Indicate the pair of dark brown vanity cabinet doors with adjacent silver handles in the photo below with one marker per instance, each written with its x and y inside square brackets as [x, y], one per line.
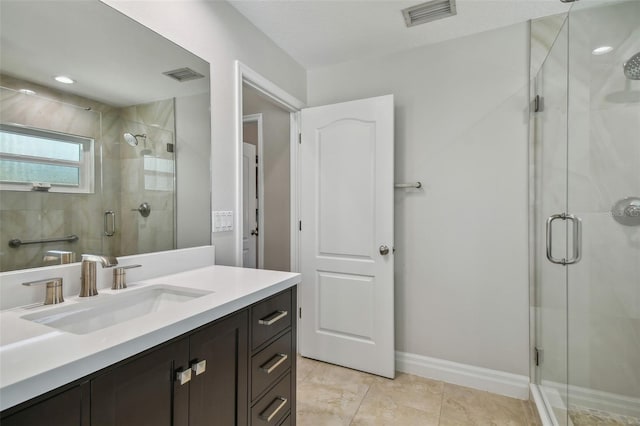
[198, 380]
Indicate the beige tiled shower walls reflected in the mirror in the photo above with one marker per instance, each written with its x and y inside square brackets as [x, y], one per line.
[125, 177]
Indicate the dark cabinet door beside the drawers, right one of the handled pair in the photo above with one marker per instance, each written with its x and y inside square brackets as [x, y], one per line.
[219, 394]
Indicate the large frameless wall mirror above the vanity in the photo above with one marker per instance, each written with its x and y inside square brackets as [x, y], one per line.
[116, 161]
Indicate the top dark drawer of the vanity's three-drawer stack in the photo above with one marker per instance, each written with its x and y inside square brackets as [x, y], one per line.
[270, 317]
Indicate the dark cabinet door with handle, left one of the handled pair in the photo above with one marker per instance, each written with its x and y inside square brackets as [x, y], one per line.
[143, 392]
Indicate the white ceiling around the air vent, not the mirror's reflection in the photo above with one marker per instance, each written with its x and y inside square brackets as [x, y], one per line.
[319, 33]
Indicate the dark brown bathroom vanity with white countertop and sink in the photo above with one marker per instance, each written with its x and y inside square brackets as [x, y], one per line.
[219, 347]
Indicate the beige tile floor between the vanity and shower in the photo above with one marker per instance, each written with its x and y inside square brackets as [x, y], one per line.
[329, 395]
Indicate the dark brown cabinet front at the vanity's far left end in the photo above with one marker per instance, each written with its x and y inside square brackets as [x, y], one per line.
[67, 408]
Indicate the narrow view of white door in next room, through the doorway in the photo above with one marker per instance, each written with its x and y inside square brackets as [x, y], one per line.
[249, 204]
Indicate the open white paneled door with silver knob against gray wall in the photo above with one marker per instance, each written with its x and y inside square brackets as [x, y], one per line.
[346, 237]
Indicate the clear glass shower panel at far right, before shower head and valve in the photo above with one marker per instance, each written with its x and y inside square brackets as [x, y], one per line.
[603, 177]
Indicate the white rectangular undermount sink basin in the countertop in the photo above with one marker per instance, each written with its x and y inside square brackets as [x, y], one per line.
[91, 315]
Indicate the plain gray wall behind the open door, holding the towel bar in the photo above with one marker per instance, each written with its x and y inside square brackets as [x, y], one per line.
[461, 242]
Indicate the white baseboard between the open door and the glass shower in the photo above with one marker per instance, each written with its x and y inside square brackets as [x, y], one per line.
[499, 382]
